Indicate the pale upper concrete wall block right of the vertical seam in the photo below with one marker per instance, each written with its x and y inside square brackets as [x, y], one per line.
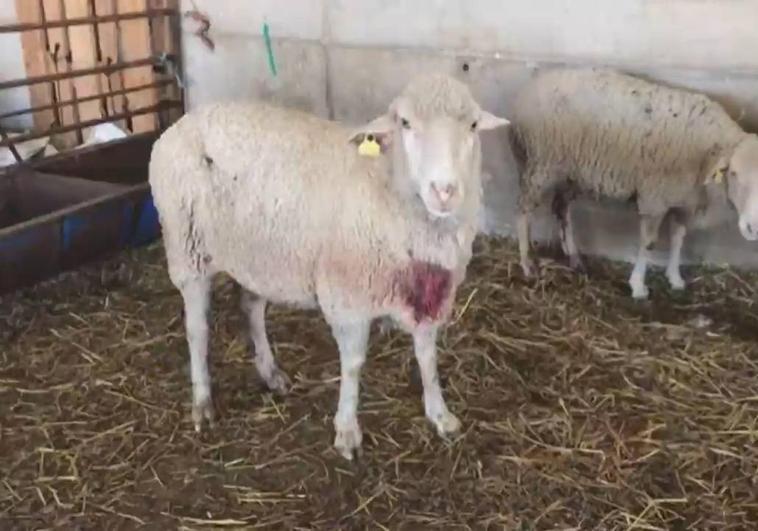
[678, 33]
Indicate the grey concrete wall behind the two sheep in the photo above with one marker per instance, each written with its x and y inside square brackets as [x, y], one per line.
[346, 59]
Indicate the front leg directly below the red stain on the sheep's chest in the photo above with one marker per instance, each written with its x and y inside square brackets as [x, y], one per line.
[425, 348]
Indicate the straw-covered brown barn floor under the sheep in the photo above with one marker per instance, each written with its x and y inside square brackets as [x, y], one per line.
[582, 409]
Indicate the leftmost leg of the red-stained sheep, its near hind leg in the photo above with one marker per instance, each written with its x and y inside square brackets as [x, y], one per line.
[197, 297]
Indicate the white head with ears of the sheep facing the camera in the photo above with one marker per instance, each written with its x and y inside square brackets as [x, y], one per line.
[432, 132]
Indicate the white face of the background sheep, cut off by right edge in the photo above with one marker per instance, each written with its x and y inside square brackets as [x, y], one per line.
[742, 182]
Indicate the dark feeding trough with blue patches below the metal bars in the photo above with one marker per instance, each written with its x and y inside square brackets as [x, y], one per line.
[74, 208]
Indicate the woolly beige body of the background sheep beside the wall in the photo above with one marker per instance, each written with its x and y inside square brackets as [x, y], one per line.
[611, 132]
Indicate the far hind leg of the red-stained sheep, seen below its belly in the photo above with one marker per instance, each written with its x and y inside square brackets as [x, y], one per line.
[254, 308]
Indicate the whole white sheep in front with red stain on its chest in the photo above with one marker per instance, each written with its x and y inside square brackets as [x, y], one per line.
[282, 202]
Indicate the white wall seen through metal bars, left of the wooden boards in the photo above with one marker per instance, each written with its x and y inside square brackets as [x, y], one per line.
[12, 67]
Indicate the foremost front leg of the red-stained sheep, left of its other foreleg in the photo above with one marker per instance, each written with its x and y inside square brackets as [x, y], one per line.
[352, 340]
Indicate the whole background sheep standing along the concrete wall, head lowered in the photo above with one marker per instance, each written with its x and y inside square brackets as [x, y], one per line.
[612, 135]
